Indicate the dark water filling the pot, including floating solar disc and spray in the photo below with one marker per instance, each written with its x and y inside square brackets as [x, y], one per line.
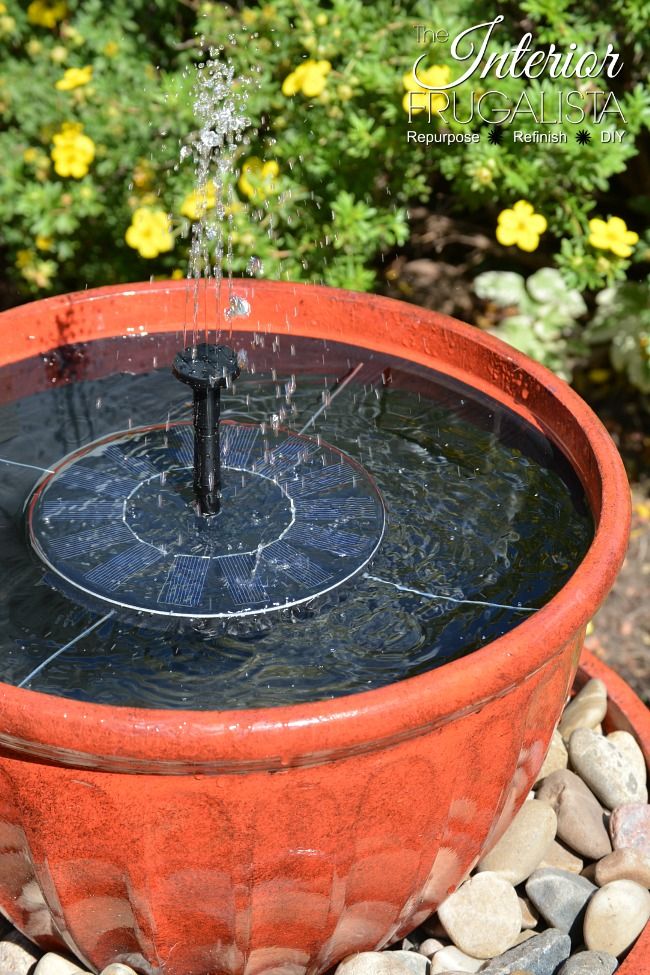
[357, 519]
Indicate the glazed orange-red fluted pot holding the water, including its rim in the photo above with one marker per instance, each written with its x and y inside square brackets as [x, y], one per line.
[280, 840]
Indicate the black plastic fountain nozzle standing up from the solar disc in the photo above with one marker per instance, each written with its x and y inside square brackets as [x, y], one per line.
[207, 369]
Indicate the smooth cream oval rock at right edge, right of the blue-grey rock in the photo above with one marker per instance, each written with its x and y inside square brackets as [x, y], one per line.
[615, 916]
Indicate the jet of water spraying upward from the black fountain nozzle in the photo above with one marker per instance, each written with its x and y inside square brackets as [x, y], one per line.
[220, 110]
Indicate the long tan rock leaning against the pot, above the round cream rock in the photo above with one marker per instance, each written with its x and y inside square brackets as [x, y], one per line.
[523, 844]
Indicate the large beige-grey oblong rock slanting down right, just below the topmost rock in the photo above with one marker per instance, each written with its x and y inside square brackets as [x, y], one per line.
[605, 769]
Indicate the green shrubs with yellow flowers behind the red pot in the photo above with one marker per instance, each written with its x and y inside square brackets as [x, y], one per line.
[96, 100]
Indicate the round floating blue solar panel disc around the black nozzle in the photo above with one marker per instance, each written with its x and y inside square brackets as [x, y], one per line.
[116, 520]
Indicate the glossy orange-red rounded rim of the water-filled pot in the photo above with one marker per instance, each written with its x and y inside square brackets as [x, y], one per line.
[116, 738]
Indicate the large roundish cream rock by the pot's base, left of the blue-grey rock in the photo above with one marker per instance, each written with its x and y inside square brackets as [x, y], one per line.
[483, 916]
